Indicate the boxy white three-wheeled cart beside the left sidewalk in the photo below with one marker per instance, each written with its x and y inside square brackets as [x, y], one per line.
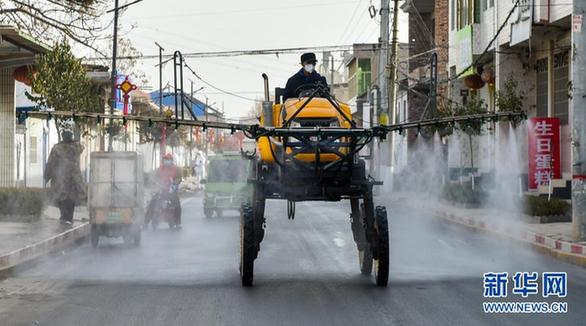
[116, 196]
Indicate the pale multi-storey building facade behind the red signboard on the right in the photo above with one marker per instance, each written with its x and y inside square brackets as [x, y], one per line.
[532, 48]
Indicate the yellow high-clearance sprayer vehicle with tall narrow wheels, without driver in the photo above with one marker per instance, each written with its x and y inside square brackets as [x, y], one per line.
[310, 153]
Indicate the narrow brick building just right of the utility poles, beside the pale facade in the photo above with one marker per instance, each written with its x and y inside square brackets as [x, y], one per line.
[428, 41]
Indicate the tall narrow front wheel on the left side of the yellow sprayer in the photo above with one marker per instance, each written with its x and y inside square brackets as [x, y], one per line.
[247, 245]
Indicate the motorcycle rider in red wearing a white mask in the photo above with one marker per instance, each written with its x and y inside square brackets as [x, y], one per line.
[169, 178]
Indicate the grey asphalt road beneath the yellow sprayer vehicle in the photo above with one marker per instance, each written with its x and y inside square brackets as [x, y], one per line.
[306, 274]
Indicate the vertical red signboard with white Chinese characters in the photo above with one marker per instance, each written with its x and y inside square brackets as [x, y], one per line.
[544, 151]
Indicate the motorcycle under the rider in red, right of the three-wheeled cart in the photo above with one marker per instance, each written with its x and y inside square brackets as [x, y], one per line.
[163, 207]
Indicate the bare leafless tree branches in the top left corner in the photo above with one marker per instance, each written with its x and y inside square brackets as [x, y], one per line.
[50, 20]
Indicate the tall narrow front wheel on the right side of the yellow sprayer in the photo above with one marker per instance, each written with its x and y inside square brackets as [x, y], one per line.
[381, 270]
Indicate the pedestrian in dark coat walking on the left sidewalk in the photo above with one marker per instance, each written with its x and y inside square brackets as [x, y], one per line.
[63, 171]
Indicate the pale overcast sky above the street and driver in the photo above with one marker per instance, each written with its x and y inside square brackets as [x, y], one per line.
[196, 26]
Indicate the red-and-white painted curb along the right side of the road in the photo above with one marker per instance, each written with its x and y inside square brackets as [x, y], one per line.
[564, 250]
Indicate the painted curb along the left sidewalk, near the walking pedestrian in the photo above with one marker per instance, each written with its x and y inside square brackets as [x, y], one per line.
[43, 247]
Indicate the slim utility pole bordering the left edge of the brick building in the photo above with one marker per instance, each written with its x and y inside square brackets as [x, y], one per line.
[392, 96]
